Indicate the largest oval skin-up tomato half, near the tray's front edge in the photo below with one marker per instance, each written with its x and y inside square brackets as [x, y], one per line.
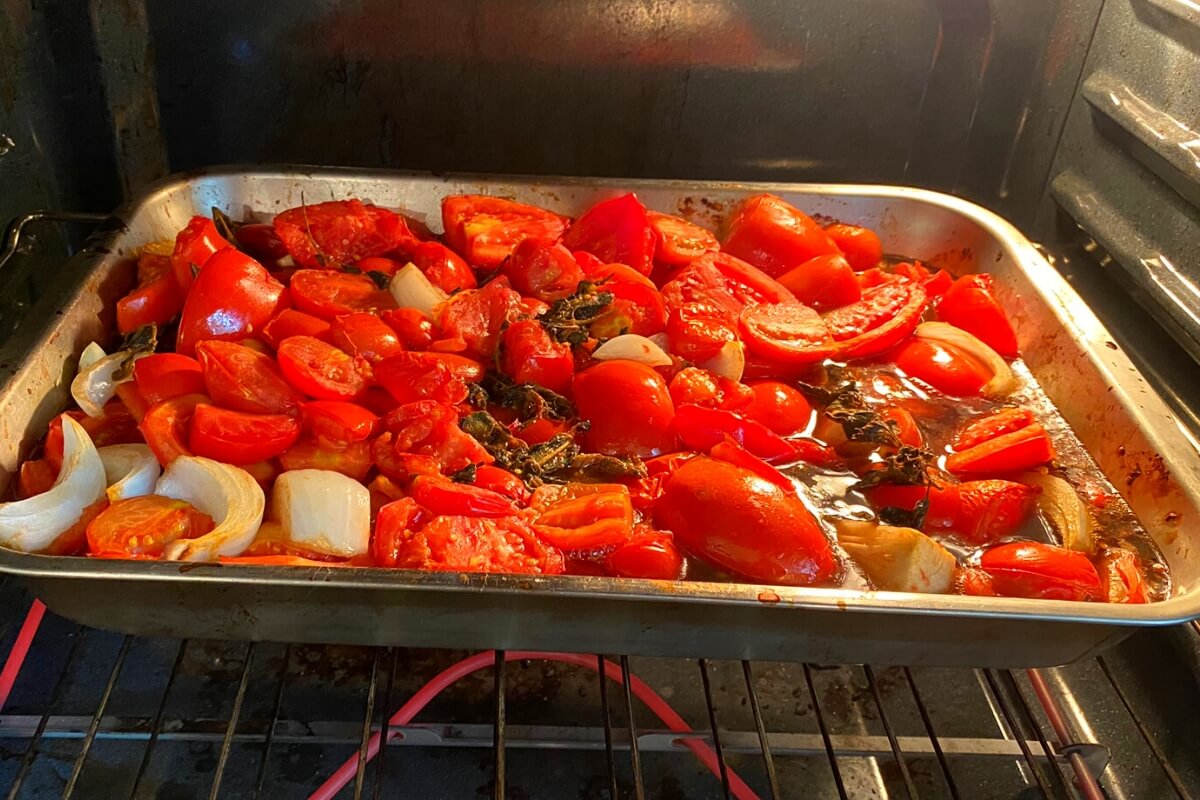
[731, 518]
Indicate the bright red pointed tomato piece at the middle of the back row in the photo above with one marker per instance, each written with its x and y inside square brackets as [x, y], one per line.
[617, 231]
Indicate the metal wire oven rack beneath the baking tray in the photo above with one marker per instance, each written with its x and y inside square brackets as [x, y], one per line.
[103, 715]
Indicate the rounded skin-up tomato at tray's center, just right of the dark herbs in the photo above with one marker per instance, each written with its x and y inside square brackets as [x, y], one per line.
[628, 407]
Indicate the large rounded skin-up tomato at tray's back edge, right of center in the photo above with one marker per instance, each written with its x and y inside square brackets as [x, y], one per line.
[776, 237]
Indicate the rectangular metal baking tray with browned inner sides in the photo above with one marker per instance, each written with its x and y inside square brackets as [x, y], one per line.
[1143, 449]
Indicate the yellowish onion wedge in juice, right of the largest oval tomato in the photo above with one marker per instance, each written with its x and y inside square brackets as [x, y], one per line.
[898, 560]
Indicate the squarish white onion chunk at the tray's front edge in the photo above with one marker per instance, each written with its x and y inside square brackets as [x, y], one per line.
[323, 512]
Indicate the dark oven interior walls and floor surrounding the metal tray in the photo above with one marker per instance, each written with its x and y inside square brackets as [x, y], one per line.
[1076, 119]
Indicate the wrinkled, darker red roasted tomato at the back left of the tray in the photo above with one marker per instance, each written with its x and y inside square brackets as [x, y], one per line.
[340, 232]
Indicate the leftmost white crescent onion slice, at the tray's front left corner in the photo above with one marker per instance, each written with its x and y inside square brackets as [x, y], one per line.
[34, 524]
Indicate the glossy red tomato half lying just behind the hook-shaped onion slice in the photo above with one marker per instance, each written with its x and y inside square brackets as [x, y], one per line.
[239, 438]
